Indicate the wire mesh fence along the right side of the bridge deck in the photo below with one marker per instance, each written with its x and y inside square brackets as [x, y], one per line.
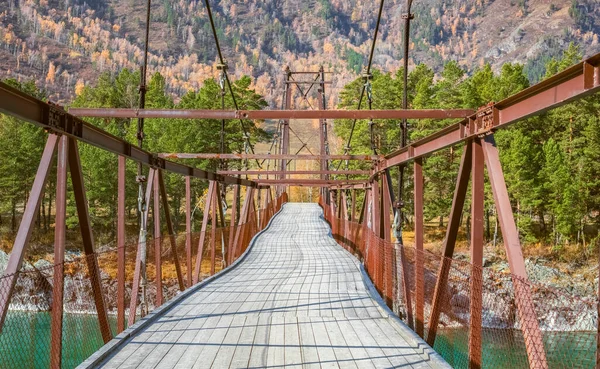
[475, 299]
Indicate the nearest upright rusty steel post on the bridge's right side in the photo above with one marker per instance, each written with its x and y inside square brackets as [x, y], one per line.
[476, 281]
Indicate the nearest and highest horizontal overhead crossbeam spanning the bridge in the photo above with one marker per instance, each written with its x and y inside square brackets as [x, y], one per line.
[271, 114]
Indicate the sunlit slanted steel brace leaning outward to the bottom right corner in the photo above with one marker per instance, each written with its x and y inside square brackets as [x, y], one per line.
[525, 306]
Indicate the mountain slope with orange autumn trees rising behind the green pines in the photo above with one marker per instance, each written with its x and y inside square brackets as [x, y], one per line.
[65, 44]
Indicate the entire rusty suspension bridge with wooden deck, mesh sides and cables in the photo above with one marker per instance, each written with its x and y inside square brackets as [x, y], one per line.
[274, 284]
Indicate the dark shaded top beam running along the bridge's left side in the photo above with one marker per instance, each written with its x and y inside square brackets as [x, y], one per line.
[54, 119]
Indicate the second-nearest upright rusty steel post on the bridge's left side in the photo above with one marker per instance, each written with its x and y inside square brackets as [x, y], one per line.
[121, 244]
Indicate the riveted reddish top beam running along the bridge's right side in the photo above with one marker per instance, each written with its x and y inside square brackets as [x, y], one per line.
[575, 83]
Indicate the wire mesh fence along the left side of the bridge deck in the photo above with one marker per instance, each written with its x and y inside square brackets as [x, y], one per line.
[26, 336]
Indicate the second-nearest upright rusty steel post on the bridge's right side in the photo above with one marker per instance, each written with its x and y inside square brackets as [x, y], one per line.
[419, 234]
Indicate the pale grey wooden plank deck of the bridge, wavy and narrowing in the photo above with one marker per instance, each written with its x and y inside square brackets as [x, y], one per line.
[297, 300]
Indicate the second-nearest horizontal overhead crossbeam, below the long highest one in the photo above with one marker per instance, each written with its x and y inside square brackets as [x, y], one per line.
[268, 156]
